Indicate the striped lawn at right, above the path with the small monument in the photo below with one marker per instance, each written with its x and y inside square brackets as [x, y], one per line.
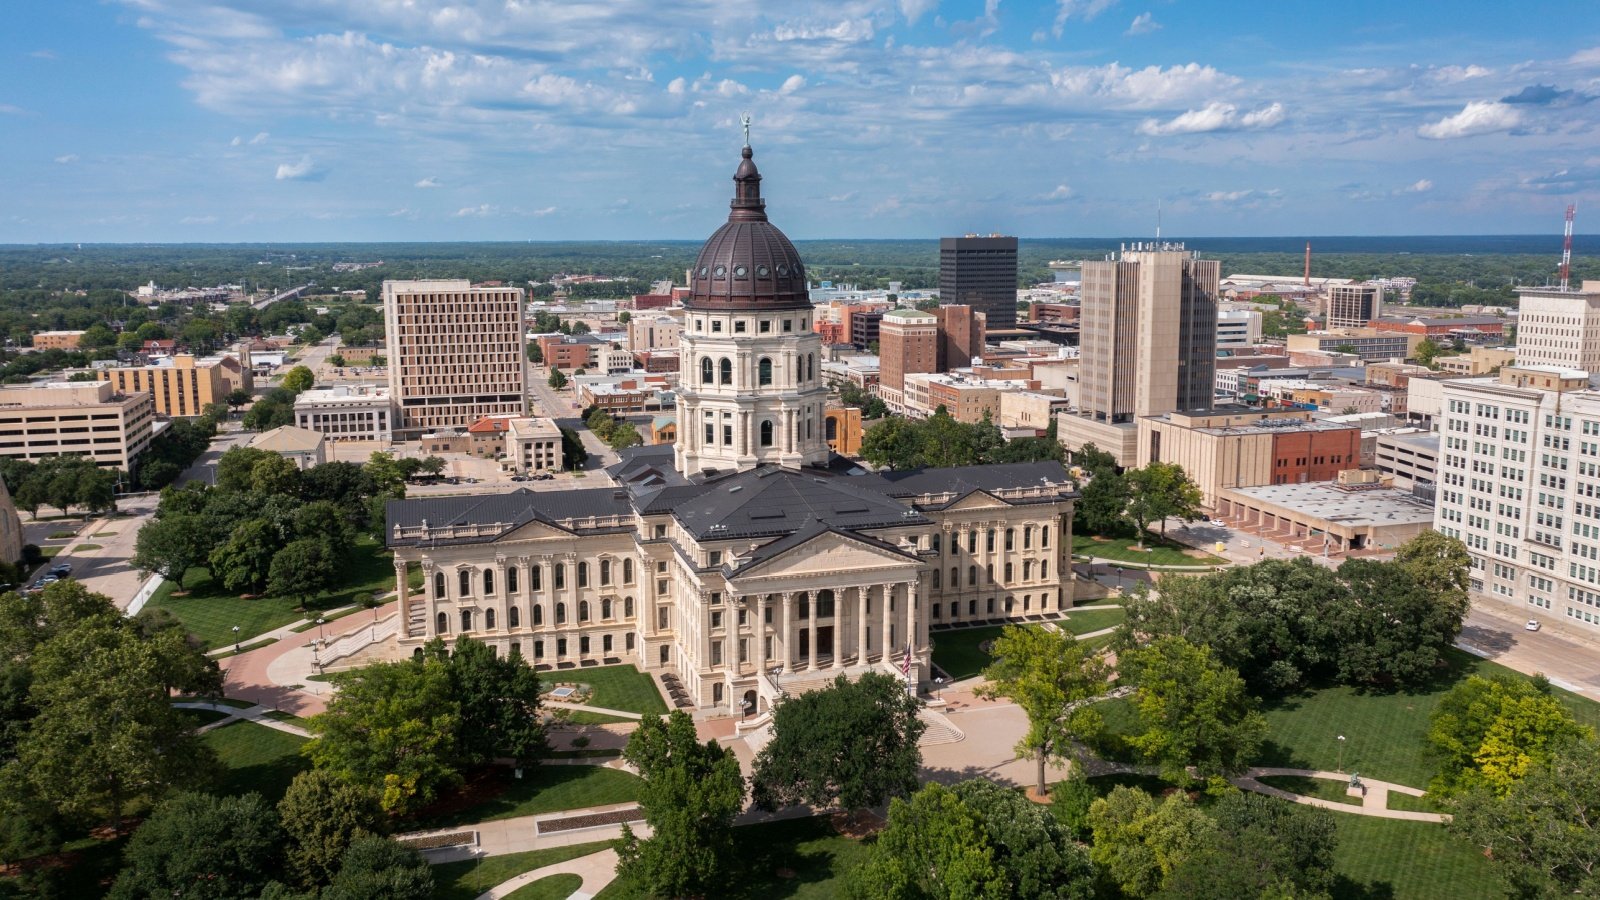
[1386, 734]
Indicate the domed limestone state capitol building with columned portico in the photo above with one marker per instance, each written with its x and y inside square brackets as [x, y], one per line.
[746, 560]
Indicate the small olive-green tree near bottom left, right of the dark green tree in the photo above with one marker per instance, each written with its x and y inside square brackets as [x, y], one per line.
[322, 816]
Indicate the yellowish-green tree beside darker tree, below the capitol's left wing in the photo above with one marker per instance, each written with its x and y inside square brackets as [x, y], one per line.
[391, 728]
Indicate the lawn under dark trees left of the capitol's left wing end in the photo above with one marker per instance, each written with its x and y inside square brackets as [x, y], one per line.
[210, 613]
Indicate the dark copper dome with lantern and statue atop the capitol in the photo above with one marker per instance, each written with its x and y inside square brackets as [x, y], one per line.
[748, 263]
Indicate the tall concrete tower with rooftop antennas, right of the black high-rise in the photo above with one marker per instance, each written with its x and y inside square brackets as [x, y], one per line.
[1148, 344]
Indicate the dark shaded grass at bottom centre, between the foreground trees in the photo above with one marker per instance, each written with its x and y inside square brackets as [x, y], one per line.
[801, 859]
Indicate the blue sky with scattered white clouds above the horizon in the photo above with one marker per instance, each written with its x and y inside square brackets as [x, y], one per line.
[286, 121]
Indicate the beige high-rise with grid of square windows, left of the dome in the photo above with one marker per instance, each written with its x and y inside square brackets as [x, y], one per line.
[455, 353]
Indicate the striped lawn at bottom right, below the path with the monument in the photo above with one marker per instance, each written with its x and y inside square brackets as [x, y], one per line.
[1409, 861]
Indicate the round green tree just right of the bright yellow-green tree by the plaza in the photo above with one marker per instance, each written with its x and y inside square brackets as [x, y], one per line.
[1193, 710]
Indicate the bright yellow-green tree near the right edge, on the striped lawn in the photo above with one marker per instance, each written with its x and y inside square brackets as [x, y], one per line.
[1490, 733]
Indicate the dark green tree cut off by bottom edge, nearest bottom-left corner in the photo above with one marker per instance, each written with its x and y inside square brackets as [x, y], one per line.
[202, 846]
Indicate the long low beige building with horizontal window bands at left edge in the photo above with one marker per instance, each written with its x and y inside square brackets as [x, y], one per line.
[63, 419]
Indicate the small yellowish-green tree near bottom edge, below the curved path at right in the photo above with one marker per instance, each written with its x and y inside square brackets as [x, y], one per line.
[1140, 843]
